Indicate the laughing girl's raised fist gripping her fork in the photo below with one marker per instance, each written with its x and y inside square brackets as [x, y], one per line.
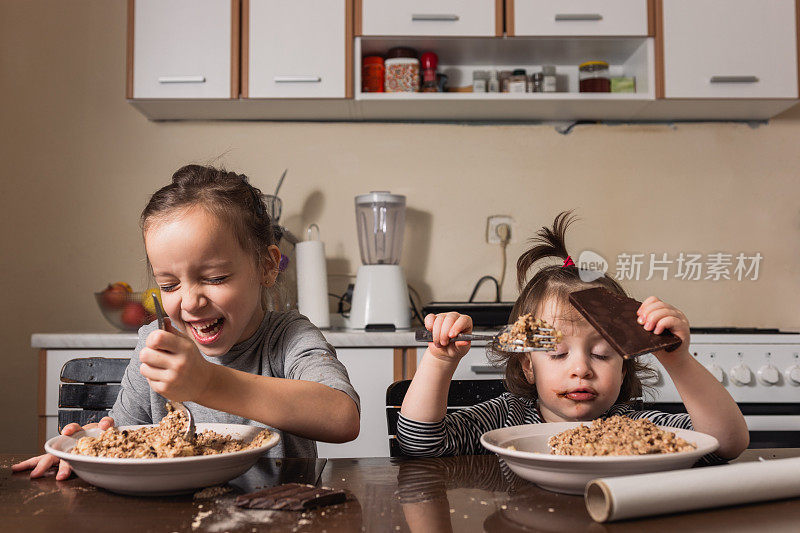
[173, 365]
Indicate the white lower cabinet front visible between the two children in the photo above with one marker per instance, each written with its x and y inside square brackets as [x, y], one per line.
[371, 371]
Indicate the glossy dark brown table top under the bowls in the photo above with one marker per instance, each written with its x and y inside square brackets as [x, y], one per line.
[468, 493]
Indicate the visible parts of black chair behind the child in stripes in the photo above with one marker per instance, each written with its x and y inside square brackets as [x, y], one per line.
[462, 393]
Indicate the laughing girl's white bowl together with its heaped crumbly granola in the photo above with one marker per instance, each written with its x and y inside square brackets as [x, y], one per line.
[152, 460]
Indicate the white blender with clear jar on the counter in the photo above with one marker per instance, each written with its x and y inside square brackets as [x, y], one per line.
[380, 296]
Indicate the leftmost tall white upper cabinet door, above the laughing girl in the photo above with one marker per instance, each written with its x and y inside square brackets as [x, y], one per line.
[182, 49]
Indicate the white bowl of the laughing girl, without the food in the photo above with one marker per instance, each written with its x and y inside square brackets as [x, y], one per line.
[156, 477]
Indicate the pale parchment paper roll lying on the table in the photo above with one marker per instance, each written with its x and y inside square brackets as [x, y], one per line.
[618, 498]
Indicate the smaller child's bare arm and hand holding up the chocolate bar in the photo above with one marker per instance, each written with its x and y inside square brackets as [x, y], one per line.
[710, 406]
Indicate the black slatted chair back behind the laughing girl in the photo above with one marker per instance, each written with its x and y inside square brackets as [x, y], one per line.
[88, 389]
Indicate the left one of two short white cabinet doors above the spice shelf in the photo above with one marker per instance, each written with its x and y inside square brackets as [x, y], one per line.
[429, 17]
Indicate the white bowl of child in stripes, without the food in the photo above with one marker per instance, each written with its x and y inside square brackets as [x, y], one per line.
[569, 474]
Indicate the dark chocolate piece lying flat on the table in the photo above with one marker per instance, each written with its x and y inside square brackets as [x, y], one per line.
[291, 497]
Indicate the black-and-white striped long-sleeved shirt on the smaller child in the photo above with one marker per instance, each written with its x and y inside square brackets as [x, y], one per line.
[459, 432]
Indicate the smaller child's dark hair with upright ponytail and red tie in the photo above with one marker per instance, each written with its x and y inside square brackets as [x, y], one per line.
[557, 281]
